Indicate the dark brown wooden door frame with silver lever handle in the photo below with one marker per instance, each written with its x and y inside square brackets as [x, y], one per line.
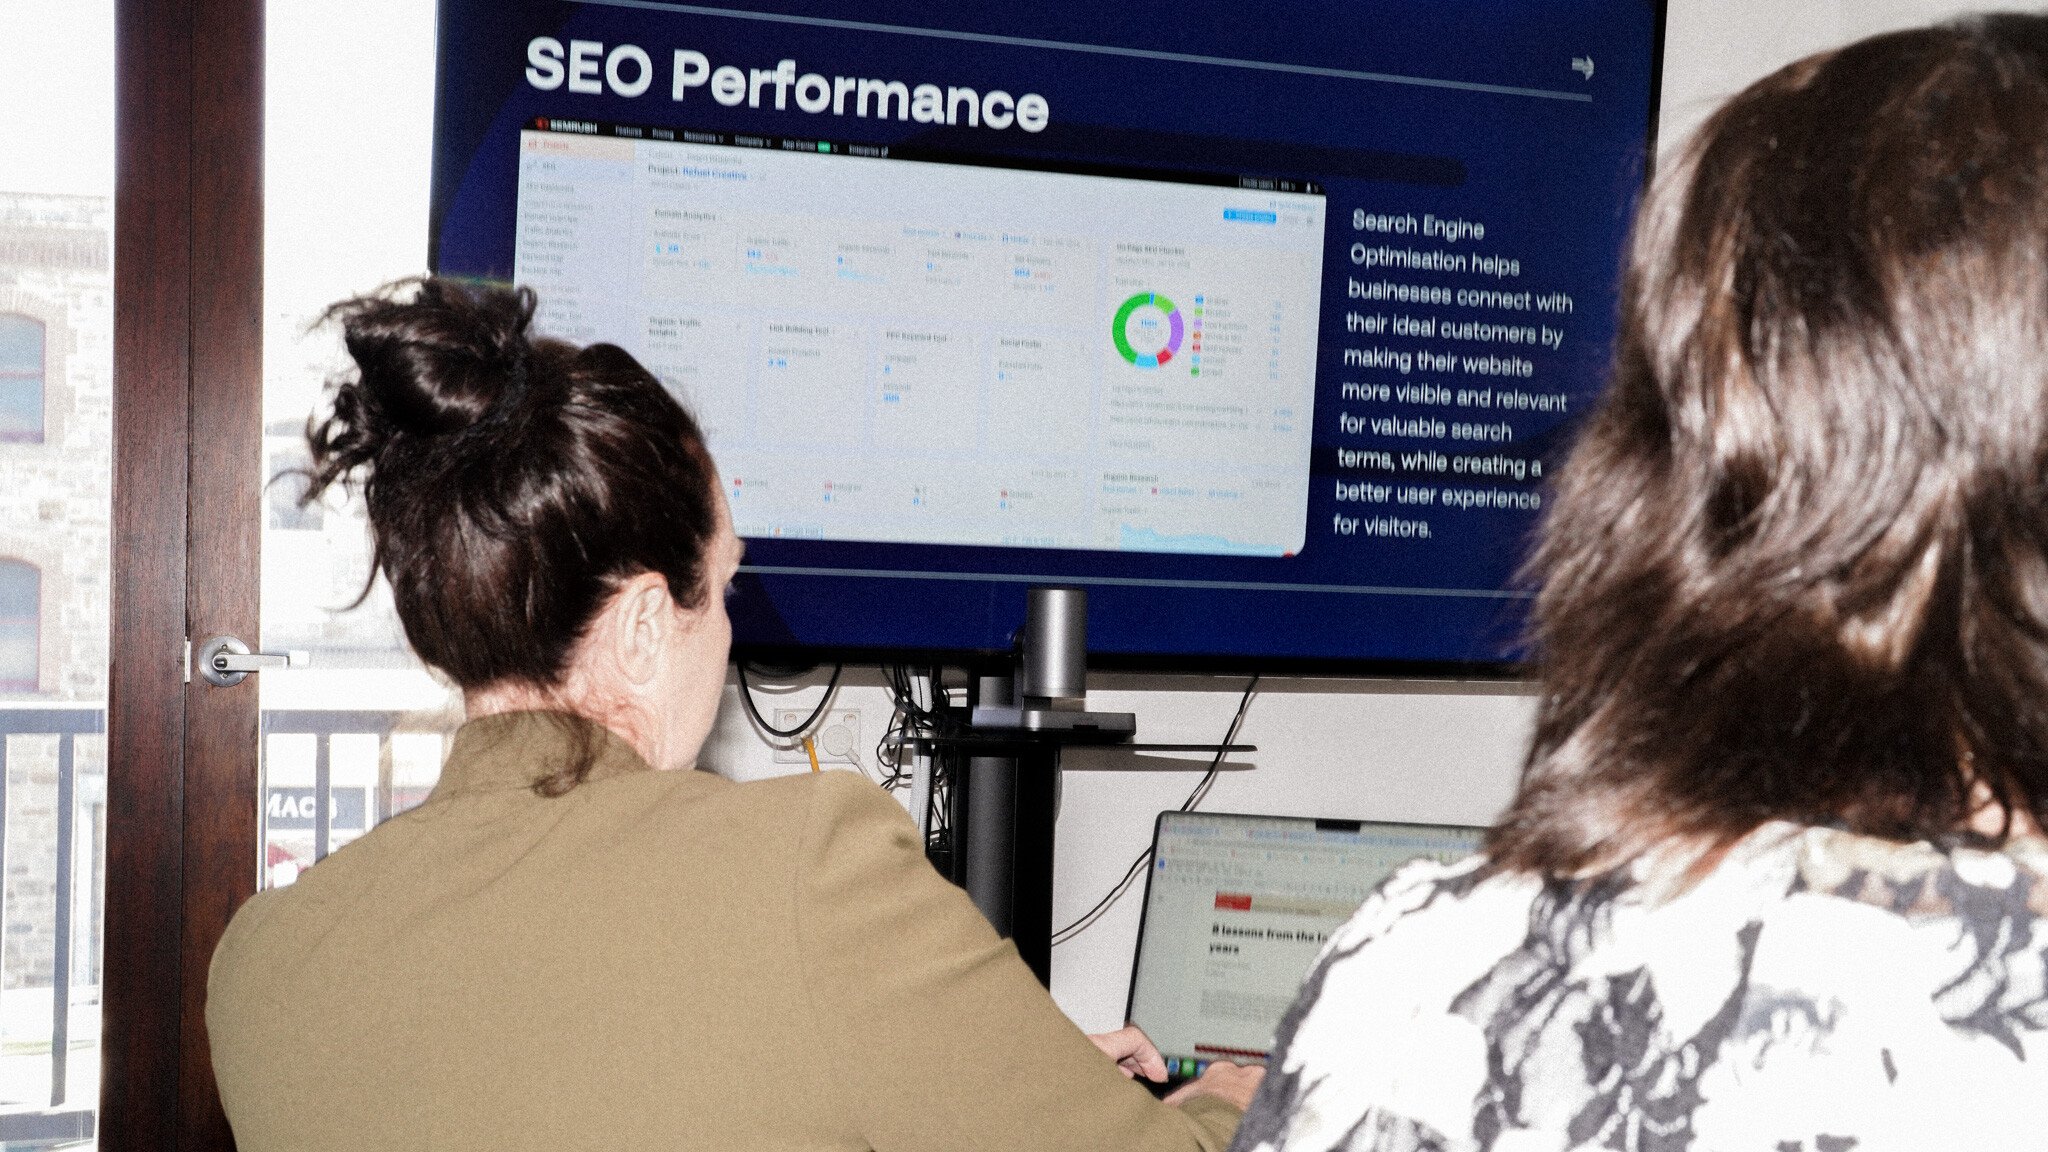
[187, 497]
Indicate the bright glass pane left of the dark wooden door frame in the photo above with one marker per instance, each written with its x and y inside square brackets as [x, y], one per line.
[56, 472]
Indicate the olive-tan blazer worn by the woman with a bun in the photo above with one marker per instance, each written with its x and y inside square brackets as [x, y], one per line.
[654, 960]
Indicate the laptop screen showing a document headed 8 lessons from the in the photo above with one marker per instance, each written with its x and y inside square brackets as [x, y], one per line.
[1238, 907]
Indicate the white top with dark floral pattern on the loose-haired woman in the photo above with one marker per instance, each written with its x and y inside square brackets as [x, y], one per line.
[1816, 993]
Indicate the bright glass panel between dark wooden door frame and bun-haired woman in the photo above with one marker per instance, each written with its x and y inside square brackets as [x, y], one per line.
[357, 735]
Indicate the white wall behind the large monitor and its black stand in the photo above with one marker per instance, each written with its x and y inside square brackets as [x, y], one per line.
[1390, 751]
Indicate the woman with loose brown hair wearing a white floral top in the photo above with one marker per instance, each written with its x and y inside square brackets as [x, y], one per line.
[1775, 878]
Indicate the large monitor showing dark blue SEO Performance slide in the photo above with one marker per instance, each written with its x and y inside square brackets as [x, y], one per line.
[1261, 323]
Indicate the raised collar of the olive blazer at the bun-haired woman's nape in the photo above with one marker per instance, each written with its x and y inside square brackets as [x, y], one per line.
[515, 749]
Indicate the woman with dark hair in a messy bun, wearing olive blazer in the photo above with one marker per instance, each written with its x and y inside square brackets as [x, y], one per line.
[579, 940]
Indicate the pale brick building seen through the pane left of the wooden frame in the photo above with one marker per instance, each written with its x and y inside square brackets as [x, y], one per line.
[56, 464]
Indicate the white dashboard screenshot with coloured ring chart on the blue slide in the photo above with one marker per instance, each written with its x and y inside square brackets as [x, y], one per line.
[947, 354]
